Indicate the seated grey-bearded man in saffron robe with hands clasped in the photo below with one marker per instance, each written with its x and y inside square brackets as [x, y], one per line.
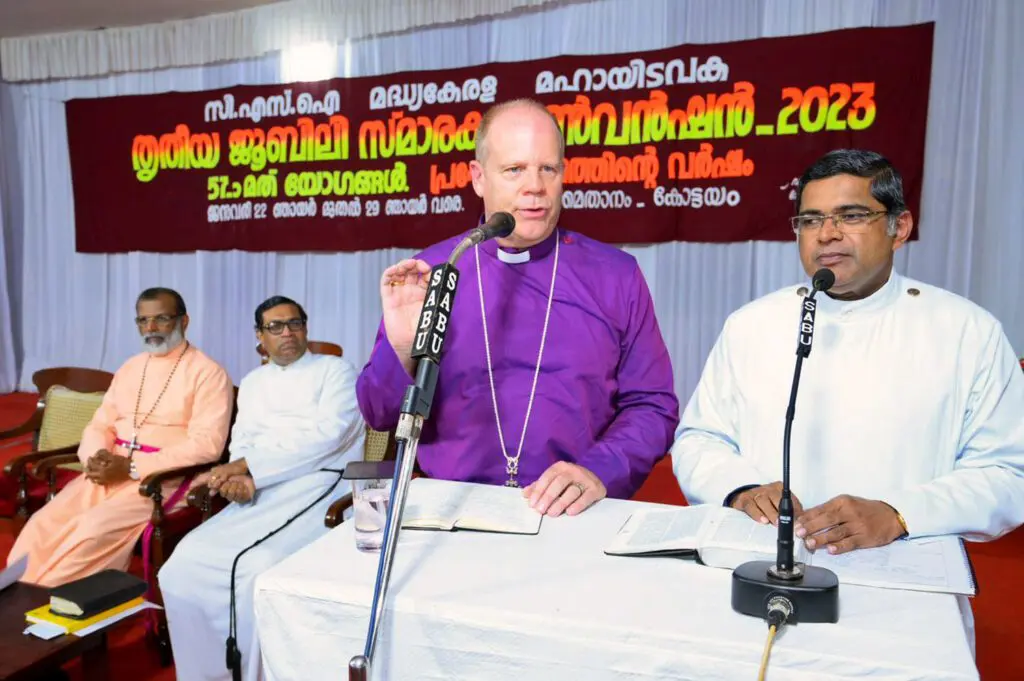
[168, 407]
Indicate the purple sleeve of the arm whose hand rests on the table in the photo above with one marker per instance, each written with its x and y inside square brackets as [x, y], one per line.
[647, 408]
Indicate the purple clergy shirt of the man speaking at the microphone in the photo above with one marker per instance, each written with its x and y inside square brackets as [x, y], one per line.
[605, 398]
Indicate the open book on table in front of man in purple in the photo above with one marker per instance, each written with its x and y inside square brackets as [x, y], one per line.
[447, 505]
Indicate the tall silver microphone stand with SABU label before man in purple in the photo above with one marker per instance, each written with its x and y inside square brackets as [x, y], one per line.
[433, 328]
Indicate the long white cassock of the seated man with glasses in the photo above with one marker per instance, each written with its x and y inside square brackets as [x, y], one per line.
[292, 422]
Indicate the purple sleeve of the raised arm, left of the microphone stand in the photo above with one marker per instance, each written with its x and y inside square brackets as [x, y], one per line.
[381, 386]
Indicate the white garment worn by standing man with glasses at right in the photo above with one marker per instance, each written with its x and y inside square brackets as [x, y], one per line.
[912, 396]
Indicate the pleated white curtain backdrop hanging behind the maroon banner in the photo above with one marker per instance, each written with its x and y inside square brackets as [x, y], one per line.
[77, 310]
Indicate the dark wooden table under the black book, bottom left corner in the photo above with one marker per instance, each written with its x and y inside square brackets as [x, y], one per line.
[24, 658]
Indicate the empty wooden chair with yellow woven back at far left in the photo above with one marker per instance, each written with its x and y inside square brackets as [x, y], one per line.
[68, 399]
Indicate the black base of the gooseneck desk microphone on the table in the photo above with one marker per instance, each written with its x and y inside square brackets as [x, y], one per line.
[815, 597]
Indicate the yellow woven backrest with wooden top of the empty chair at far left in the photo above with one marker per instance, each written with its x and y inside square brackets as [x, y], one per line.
[69, 398]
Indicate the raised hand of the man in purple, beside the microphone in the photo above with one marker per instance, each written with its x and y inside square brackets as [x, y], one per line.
[404, 288]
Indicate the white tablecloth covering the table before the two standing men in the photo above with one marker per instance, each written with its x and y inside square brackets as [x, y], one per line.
[483, 607]
